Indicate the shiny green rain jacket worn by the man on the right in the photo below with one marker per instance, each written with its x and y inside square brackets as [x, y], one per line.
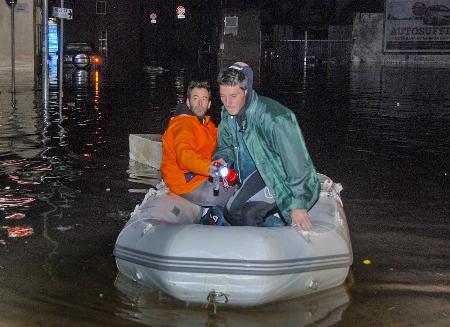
[275, 142]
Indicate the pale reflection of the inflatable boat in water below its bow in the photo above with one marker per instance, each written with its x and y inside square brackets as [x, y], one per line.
[149, 307]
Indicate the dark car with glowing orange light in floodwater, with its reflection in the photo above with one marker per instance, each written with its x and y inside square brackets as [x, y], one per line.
[79, 59]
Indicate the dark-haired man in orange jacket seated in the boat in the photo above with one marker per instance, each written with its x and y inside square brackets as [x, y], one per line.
[187, 148]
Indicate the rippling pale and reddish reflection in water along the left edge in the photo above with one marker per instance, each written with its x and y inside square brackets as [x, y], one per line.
[19, 170]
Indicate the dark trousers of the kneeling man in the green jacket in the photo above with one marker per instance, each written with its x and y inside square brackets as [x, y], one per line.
[251, 204]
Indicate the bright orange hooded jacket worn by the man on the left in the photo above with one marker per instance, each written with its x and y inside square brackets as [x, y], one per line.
[187, 147]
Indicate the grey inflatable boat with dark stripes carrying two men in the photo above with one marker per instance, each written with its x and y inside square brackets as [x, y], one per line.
[163, 245]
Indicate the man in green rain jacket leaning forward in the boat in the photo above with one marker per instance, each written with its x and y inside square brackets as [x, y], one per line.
[262, 139]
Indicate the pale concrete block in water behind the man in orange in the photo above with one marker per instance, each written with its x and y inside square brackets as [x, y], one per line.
[146, 149]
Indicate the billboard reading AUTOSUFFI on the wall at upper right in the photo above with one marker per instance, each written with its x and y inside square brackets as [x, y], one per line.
[417, 26]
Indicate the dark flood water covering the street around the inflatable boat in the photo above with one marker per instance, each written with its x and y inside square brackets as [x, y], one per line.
[383, 132]
